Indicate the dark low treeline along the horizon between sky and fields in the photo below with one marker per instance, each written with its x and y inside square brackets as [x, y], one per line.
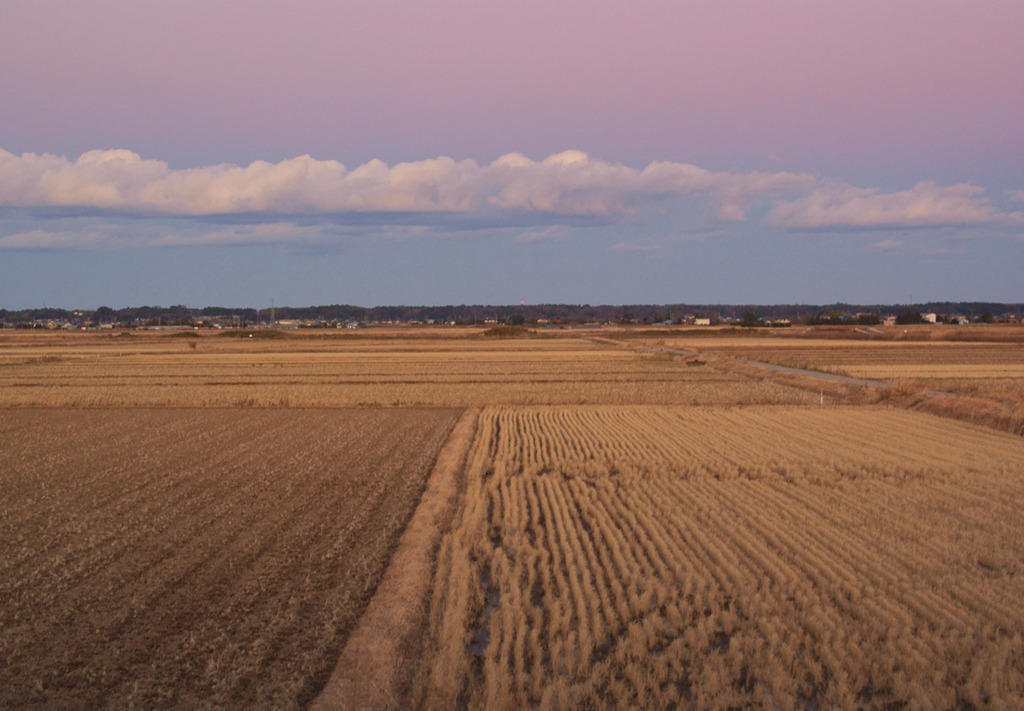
[463, 314]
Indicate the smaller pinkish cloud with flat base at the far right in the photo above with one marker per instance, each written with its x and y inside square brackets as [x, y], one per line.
[837, 205]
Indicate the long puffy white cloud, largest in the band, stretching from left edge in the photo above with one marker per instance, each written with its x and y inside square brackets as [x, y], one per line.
[568, 184]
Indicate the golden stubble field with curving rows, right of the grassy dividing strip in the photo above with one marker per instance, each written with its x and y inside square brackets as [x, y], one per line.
[731, 558]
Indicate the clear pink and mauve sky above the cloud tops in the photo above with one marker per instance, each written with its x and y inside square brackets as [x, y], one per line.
[807, 86]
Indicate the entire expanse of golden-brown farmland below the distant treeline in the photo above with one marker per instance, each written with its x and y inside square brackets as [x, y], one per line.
[208, 521]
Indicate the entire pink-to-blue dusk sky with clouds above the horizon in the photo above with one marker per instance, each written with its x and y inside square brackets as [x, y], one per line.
[316, 152]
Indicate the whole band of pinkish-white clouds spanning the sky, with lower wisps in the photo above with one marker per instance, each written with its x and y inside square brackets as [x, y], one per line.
[298, 196]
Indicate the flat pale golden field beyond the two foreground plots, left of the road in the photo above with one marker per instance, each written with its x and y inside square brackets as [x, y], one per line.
[452, 370]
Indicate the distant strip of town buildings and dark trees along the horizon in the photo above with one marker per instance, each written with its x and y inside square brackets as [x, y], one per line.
[538, 316]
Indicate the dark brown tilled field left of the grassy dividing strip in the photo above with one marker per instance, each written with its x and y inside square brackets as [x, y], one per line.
[196, 559]
